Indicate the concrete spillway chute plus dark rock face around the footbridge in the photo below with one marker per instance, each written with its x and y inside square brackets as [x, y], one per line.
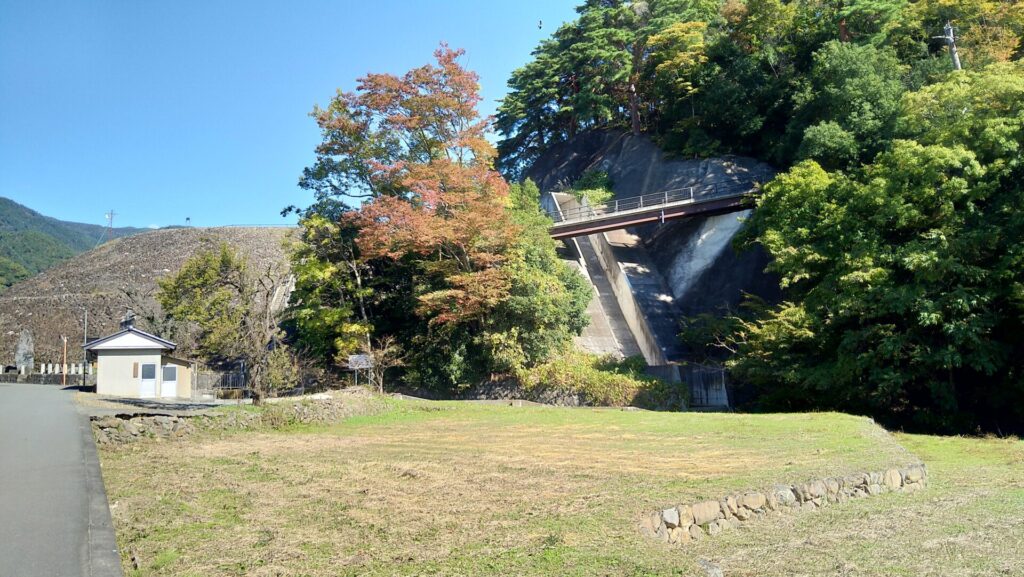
[647, 278]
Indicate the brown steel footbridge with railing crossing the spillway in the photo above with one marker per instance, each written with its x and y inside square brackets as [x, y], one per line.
[713, 198]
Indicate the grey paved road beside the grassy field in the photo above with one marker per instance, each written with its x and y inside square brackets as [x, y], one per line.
[55, 520]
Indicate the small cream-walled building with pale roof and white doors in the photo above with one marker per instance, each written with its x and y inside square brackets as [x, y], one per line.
[136, 364]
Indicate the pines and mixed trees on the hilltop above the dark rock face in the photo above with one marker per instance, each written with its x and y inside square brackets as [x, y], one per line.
[756, 77]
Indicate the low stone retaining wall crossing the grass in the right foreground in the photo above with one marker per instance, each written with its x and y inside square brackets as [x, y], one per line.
[688, 523]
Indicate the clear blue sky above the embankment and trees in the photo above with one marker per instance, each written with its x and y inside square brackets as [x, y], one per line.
[163, 110]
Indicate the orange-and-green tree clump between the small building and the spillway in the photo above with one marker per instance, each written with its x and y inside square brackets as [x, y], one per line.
[444, 255]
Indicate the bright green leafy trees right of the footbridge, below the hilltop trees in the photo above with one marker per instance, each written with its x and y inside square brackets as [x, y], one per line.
[906, 275]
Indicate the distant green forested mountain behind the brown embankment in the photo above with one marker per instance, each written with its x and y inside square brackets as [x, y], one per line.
[31, 243]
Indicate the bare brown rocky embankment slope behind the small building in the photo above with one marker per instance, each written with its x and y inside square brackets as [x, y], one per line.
[51, 305]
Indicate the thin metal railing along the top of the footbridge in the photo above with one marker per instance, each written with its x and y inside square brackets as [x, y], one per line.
[721, 189]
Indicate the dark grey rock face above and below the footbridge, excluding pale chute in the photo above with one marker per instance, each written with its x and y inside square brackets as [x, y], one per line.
[677, 269]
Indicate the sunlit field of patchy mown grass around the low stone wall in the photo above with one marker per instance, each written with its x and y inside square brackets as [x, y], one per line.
[465, 489]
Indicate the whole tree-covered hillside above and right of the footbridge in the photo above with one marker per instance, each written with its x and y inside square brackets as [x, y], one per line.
[894, 224]
